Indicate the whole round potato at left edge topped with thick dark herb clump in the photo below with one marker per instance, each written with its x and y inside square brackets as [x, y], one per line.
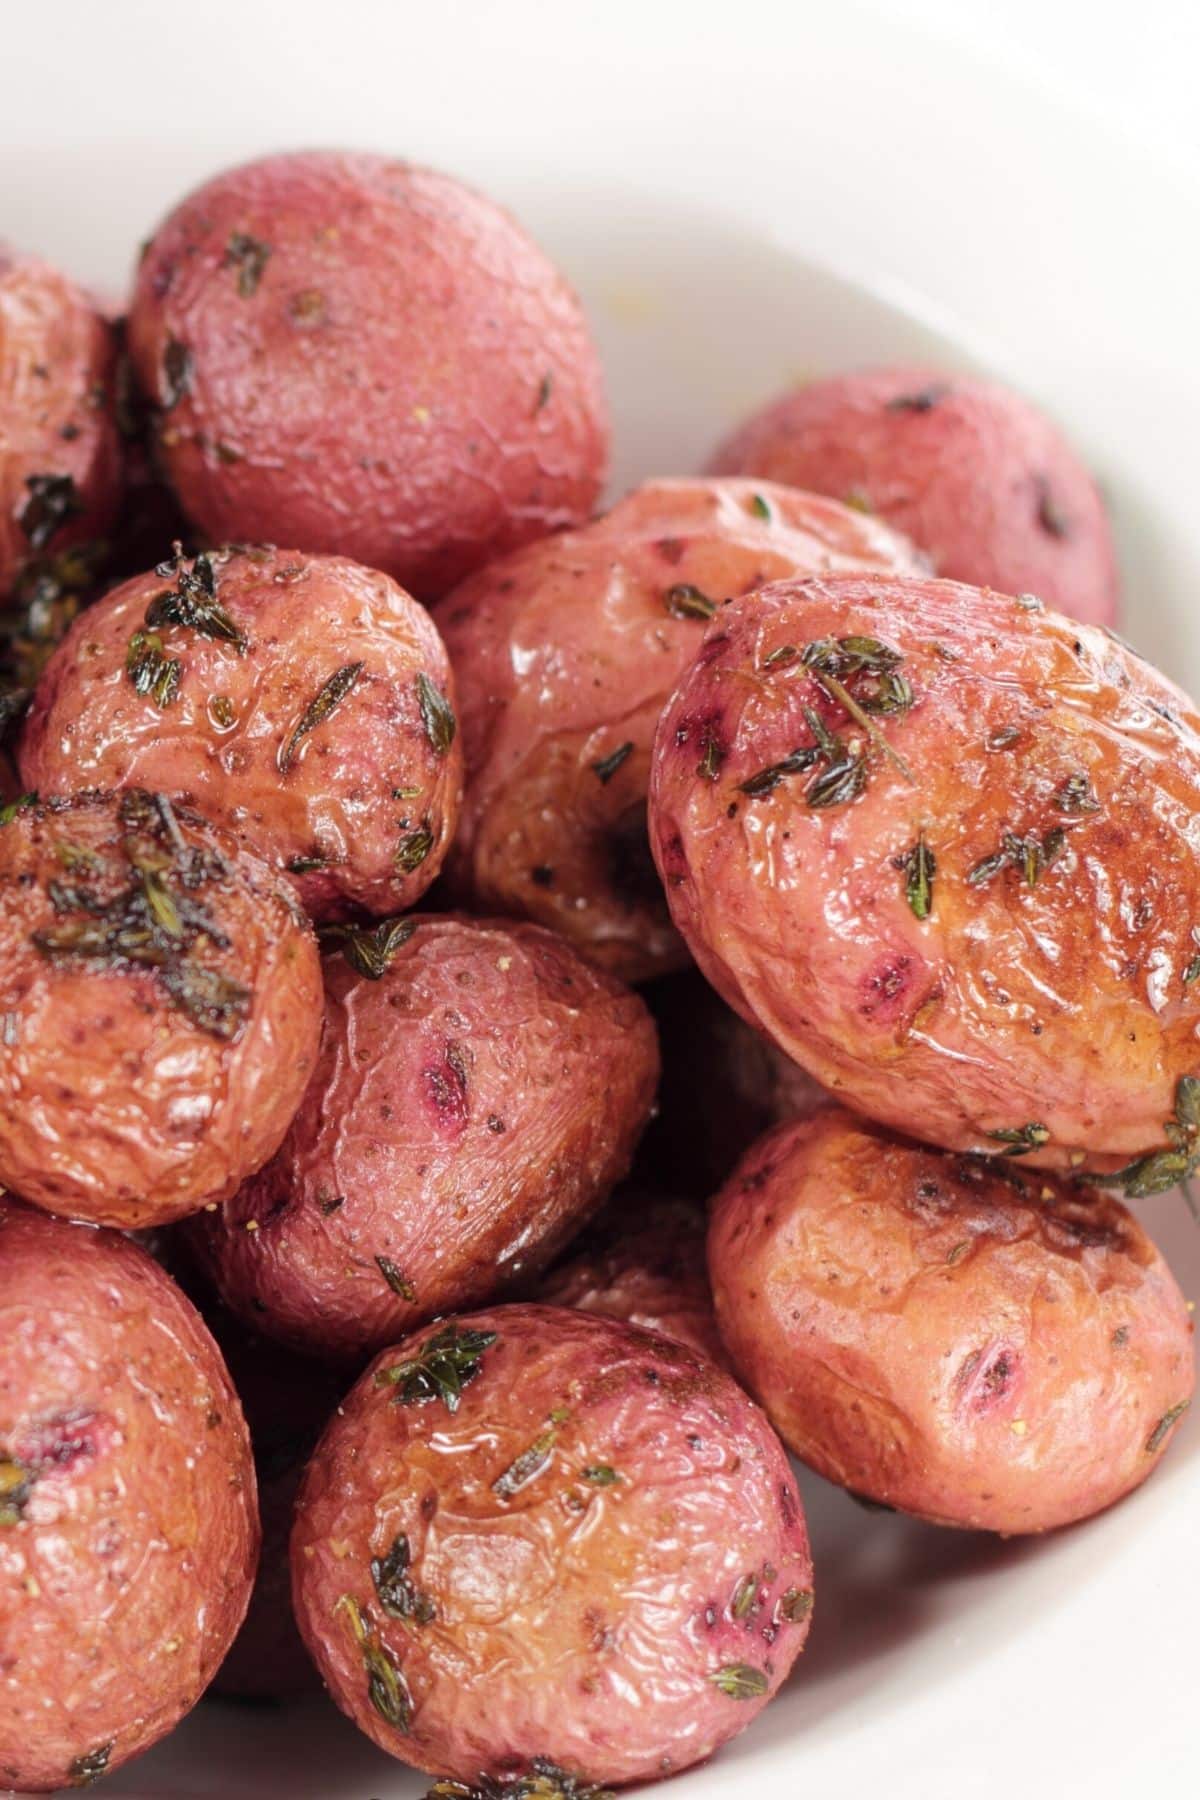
[159, 1009]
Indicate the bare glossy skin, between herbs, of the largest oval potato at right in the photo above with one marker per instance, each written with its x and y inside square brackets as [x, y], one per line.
[1061, 1003]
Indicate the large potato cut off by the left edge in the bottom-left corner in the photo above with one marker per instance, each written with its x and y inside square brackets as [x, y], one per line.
[127, 1569]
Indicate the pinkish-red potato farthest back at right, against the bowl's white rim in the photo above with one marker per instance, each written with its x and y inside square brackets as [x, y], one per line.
[967, 469]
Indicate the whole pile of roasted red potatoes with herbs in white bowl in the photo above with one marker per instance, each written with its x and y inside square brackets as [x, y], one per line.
[422, 894]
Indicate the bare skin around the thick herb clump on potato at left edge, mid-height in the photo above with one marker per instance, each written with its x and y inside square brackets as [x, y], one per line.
[114, 1104]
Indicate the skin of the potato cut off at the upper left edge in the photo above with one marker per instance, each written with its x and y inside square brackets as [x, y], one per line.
[57, 409]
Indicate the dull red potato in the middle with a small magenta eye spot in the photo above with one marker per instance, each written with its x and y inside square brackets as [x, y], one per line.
[469, 1111]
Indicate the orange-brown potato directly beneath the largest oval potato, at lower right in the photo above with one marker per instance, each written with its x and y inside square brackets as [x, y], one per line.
[999, 1351]
